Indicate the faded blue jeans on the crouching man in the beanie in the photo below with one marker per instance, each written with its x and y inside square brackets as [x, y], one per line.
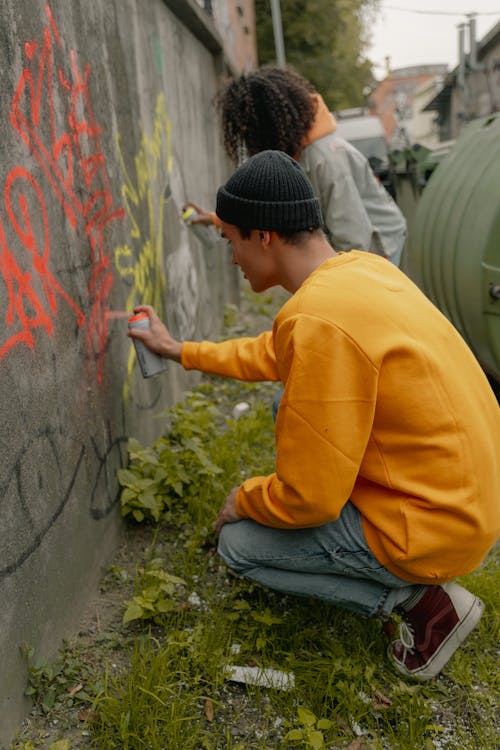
[331, 562]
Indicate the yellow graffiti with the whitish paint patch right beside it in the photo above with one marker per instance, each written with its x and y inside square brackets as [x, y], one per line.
[158, 253]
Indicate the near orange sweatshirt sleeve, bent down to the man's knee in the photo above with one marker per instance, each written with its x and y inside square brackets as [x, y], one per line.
[323, 427]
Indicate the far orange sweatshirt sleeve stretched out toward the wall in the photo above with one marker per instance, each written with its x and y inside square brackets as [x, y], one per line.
[250, 359]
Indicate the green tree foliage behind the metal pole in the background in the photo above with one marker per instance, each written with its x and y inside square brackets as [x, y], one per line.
[325, 42]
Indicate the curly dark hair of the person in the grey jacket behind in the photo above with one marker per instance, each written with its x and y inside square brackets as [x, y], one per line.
[270, 108]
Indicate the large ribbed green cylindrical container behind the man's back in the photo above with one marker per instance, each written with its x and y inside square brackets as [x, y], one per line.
[454, 253]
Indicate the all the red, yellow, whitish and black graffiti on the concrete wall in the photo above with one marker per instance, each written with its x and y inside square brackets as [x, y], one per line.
[59, 172]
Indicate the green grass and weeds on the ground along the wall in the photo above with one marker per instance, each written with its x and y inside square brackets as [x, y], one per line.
[158, 682]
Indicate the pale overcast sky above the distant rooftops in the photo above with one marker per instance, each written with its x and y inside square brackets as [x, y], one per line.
[427, 36]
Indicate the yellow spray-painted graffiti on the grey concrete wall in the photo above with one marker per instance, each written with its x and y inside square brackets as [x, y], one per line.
[141, 262]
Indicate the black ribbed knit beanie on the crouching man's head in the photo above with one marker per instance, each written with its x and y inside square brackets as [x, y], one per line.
[270, 191]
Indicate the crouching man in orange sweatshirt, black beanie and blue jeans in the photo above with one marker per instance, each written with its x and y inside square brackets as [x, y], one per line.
[387, 480]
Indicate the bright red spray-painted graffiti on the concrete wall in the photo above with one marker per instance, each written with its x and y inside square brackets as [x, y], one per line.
[51, 112]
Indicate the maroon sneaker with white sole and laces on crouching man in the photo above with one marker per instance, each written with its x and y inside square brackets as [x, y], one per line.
[431, 632]
